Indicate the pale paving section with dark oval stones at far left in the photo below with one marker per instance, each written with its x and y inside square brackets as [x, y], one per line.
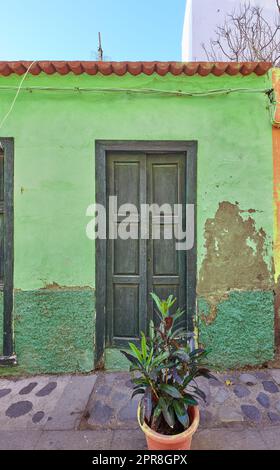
[44, 402]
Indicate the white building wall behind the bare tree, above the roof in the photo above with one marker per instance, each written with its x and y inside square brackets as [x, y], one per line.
[201, 19]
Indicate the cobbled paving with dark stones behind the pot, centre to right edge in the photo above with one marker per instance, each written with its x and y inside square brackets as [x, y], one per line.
[234, 398]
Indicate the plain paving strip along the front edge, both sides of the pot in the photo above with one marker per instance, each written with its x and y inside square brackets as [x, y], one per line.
[205, 439]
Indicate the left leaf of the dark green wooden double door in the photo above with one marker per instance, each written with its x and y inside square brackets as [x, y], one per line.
[126, 259]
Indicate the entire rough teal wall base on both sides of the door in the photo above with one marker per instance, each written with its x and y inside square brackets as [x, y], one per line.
[54, 331]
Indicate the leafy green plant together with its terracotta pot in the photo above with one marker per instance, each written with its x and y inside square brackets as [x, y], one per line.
[164, 370]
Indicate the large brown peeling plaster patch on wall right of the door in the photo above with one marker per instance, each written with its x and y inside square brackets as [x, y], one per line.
[237, 264]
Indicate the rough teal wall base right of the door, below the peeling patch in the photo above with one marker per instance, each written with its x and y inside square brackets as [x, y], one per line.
[242, 332]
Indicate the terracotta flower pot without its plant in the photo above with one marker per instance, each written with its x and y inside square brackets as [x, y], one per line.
[156, 441]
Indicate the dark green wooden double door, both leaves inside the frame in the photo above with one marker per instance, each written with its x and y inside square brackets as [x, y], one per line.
[136, 267]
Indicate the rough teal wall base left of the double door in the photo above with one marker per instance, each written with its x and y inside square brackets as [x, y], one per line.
[54, 330]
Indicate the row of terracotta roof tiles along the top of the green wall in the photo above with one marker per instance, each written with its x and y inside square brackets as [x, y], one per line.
[135, 68]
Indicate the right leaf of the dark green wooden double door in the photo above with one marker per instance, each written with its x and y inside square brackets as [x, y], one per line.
[166, 176]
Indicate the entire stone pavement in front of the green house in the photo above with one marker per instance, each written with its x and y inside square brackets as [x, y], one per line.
[95, 412]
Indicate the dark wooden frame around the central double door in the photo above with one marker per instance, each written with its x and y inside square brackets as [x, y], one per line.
[101, 149]
